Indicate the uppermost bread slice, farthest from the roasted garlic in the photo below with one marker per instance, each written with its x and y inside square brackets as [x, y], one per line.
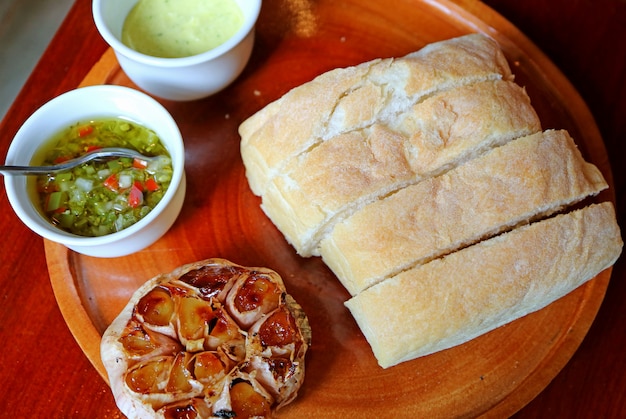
[353, 98]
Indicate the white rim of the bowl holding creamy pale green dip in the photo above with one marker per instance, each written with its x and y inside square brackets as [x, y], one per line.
[253, 6]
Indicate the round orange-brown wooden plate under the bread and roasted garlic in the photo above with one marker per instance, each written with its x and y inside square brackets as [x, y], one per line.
[494, 375]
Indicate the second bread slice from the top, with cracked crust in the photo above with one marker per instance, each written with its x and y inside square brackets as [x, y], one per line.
[341, 175]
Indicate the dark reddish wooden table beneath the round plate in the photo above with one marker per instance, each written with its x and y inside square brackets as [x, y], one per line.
[43, 372]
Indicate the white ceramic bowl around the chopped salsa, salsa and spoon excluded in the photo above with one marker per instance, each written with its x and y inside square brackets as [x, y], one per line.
[80, 105]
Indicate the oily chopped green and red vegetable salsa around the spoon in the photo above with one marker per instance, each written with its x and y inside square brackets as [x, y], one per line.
[103, 197]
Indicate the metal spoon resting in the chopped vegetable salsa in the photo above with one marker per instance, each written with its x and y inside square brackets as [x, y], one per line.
[98, 154]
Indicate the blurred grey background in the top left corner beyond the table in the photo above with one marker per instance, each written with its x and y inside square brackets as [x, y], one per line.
[26, 28]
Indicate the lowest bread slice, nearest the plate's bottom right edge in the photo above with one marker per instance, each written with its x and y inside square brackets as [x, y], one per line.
[454, 299]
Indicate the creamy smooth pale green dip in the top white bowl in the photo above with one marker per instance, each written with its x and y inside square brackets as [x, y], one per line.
[180, 28]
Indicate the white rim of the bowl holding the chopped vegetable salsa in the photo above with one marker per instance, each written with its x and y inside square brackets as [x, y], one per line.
[40, 224]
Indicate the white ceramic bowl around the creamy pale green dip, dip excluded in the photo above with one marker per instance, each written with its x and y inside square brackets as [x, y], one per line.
[179, 79]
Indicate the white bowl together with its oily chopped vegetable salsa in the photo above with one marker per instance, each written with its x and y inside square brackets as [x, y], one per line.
[134, 209]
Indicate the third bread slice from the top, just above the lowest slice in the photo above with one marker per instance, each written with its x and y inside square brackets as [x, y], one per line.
[525, 179]
